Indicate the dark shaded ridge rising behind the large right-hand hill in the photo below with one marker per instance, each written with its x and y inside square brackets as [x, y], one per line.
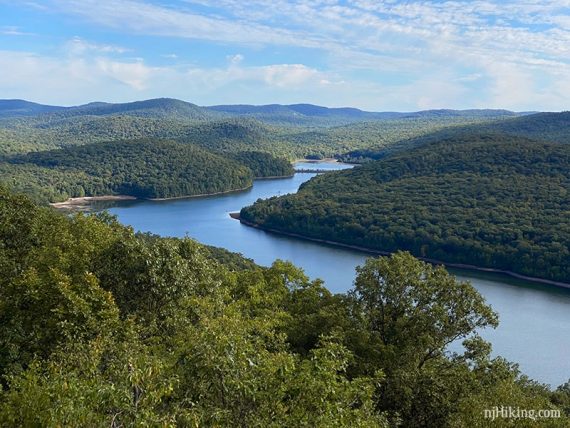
[552, 127]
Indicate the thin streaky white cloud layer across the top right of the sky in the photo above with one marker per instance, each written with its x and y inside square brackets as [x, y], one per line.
[362, 26]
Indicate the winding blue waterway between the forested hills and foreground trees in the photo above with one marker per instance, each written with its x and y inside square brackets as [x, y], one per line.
[534, 319]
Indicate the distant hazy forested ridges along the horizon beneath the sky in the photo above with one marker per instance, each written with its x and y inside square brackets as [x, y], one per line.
[289, 132]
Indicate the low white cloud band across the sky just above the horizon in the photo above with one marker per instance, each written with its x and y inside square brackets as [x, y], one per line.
[76, 80]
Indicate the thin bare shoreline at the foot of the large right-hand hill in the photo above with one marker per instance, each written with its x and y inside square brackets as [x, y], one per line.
[543, 281]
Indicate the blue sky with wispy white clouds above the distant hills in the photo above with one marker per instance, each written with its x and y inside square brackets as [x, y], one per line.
[376, 55]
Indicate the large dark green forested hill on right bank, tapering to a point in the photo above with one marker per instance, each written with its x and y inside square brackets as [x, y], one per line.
[493, 201]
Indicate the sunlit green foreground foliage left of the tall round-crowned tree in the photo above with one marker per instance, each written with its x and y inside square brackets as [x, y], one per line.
[104, 327]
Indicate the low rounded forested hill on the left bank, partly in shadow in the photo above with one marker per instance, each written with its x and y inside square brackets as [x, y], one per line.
[144, 169]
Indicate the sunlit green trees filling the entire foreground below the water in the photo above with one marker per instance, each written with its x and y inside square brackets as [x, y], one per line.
[103, 327]
